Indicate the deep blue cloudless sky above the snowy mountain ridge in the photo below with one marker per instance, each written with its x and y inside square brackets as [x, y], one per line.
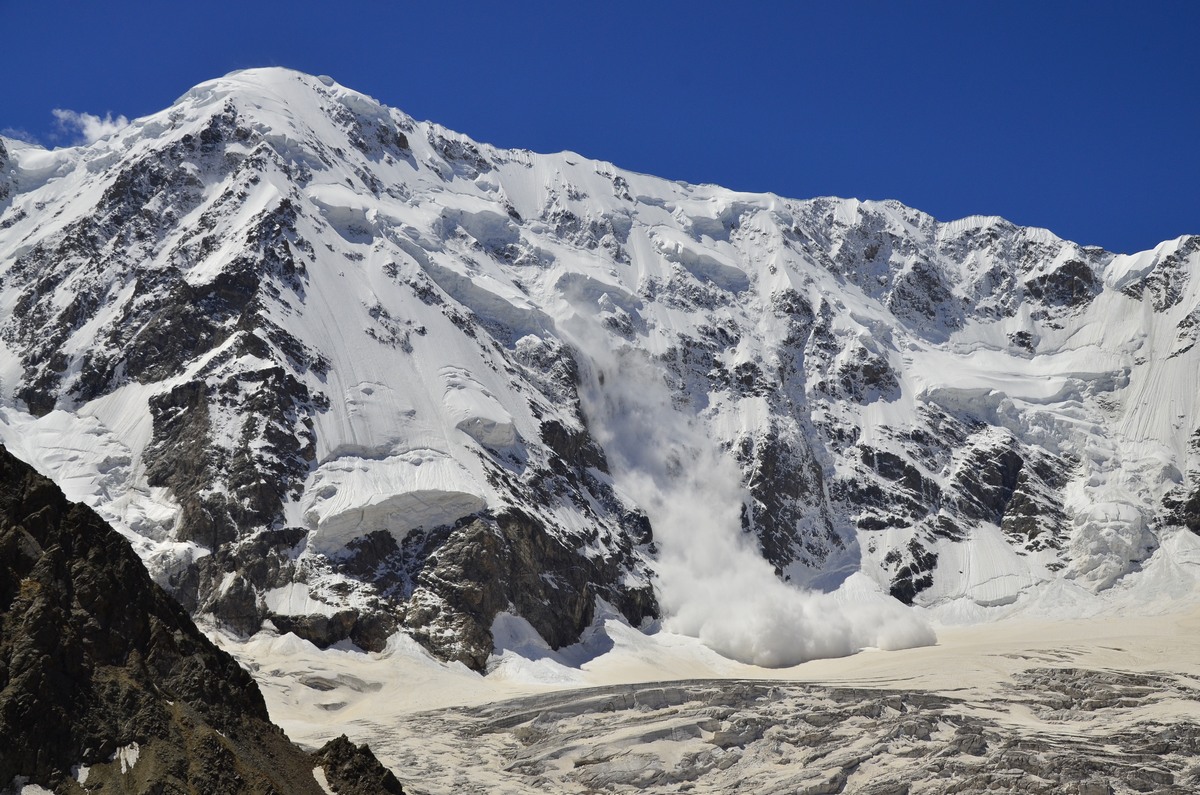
[1079, 117]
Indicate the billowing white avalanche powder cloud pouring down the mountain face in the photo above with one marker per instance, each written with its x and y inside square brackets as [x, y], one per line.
[713, 583]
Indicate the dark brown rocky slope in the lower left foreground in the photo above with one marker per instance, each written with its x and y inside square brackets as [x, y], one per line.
[107, 686]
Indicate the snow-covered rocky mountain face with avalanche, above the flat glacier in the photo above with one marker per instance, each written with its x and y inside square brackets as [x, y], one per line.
[349, 373]
